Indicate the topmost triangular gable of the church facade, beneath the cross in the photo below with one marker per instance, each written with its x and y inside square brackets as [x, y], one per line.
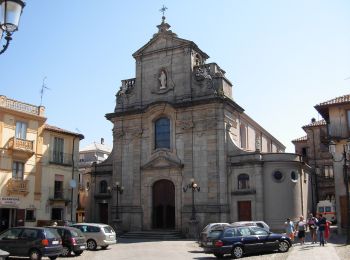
[165, 32]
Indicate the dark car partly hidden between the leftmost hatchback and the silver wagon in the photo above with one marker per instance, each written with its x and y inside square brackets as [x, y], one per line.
[73, 240]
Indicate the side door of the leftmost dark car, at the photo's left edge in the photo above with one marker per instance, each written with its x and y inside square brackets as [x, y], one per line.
[9, 241]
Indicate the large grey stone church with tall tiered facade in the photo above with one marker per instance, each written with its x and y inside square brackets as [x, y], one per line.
[185, 152]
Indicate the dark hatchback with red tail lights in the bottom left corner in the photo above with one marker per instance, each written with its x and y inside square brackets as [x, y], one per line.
[32, 242]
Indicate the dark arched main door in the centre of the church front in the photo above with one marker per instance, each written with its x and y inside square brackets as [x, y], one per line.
[163, 213]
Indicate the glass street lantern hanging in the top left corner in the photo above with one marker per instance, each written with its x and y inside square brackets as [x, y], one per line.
[10, 13]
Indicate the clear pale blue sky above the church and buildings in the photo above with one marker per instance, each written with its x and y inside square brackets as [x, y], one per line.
[283, 57]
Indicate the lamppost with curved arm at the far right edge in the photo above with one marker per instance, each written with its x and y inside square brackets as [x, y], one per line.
[346, 152]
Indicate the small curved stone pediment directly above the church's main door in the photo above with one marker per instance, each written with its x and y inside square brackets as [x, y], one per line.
[162, 160]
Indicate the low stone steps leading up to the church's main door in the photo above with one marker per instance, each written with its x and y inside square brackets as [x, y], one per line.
[154, 235]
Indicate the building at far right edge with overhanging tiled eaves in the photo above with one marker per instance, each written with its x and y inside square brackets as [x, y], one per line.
[336, 113]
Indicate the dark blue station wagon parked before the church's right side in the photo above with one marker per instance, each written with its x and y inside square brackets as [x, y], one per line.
[241, 240]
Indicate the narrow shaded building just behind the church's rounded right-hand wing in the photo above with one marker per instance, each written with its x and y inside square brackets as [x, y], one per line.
[314, 149]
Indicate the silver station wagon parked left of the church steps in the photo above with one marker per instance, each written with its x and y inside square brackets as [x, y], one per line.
[97, 235]
